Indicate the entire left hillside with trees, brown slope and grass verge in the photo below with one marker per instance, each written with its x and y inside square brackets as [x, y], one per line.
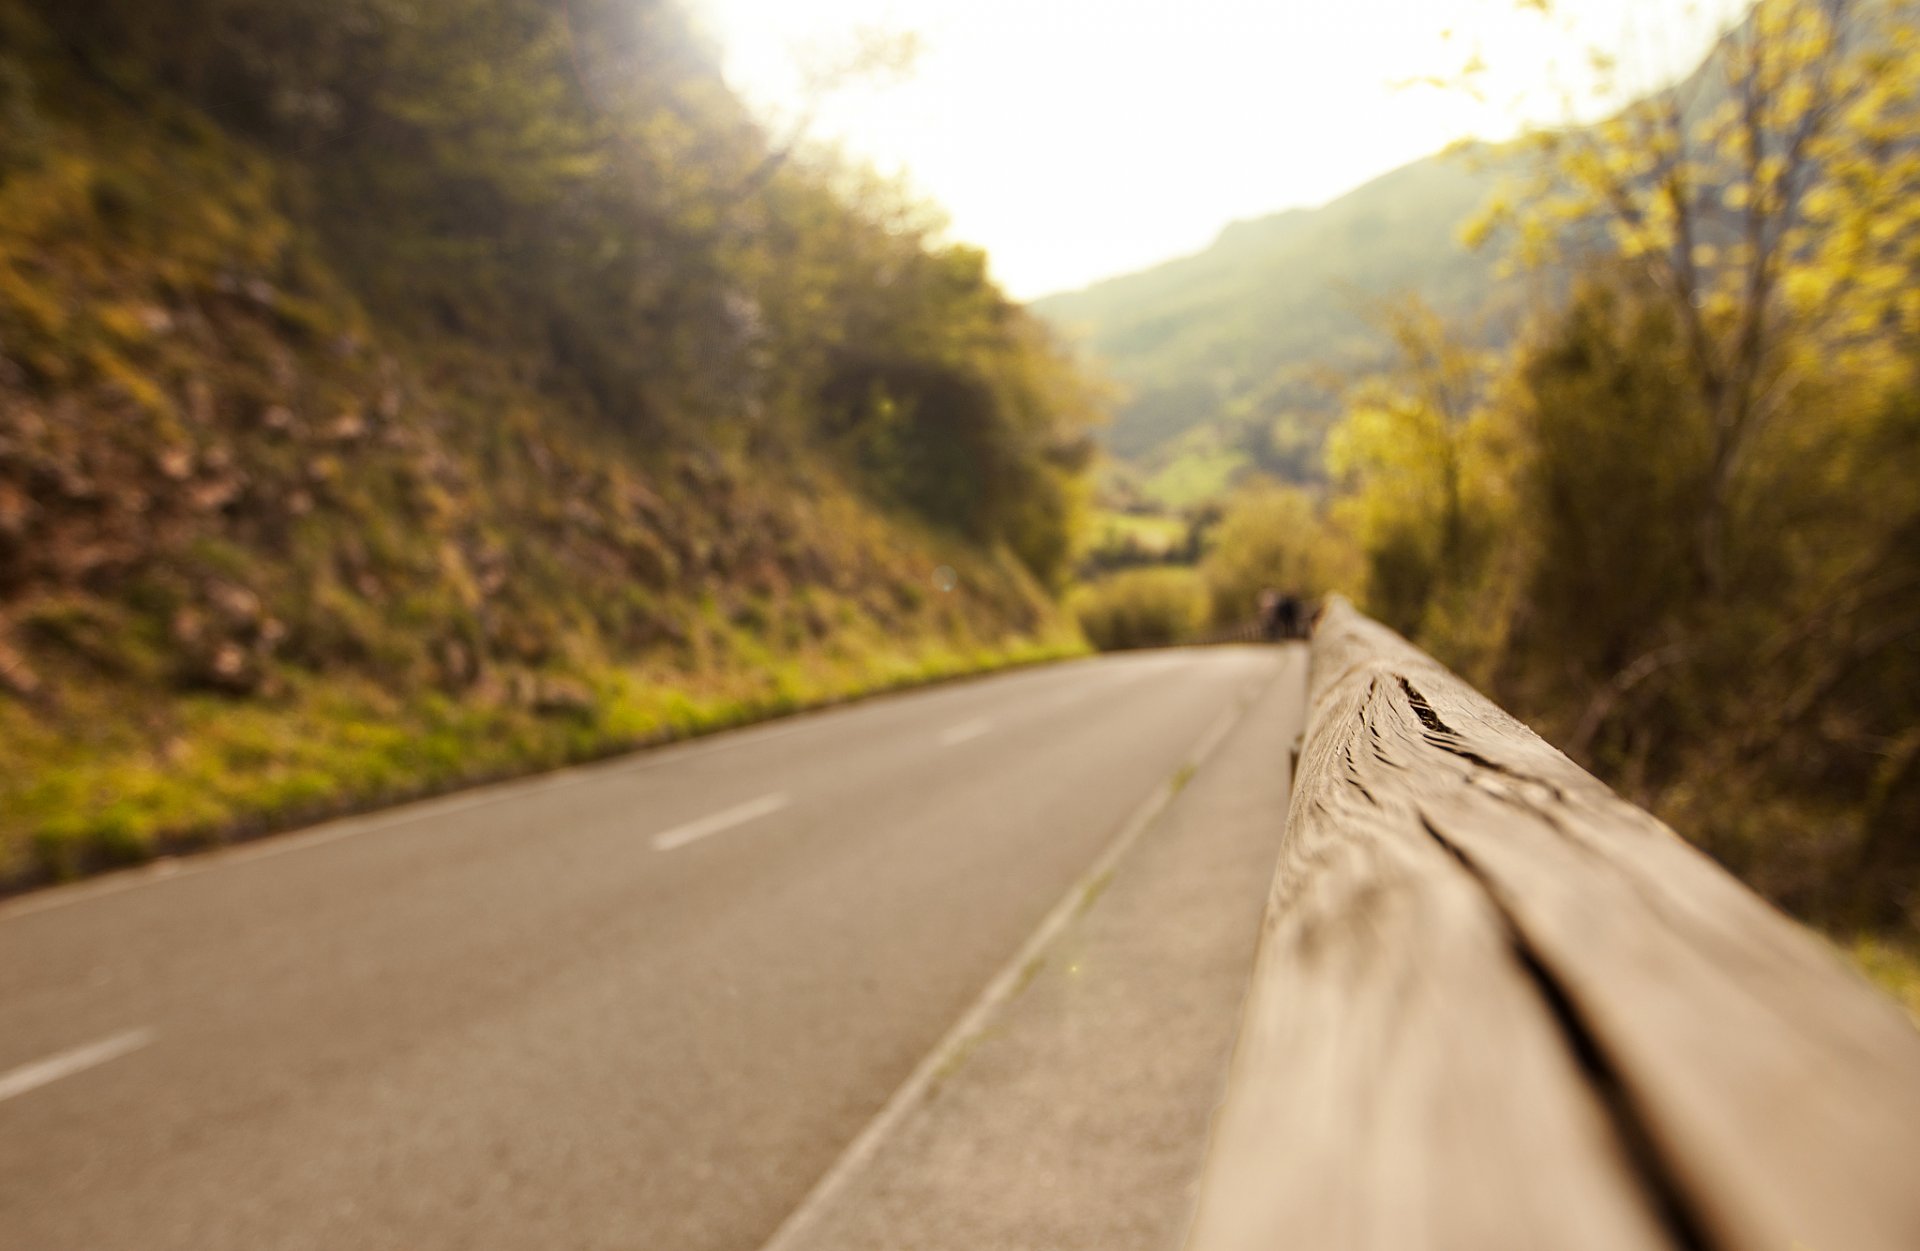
[400, 394]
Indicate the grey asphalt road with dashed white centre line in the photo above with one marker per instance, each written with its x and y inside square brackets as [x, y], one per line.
[642, 1004]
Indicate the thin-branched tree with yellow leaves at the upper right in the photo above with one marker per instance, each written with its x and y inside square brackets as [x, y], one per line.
[1767, 202]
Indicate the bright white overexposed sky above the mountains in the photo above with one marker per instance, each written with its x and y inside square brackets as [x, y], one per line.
[1084, 139]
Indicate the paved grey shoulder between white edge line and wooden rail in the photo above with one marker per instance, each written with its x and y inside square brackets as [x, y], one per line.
[1078, 1114]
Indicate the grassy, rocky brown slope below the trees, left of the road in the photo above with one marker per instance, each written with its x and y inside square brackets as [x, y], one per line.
[262, 559]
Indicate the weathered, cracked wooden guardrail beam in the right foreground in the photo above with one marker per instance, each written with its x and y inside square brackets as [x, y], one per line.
[1499, 1008]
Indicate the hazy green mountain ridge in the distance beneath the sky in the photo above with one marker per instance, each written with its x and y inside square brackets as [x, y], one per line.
[1216, 350]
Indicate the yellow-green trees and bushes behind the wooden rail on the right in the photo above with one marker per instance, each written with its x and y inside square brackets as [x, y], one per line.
[1677, 523]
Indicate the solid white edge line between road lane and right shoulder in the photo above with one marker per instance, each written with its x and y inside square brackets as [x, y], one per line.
[997, 993]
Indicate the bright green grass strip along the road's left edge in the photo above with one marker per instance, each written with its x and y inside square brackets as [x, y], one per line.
[72, 805]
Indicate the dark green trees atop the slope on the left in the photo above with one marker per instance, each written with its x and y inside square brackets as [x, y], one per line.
[575, 187]
